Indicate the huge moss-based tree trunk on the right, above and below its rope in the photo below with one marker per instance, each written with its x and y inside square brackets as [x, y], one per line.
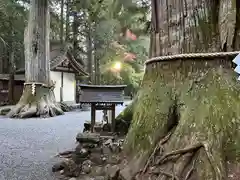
[187, 113]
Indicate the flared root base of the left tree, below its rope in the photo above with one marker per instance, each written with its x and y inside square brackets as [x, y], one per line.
[41, 104]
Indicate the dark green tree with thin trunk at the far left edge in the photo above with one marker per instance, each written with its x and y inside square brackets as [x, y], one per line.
[12, 14]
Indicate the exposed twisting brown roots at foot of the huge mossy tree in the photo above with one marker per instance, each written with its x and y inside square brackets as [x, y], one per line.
[187, 166]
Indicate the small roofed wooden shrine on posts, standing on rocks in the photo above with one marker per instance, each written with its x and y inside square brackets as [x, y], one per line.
[102, 97]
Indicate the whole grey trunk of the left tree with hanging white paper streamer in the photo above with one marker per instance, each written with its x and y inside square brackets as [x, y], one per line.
[38, 98]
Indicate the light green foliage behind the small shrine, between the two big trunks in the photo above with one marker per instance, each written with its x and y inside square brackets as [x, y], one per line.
[108, 22]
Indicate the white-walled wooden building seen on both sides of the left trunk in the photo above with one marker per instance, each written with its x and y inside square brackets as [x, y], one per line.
[64, 69]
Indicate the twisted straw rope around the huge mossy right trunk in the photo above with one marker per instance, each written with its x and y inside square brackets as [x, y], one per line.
[192, 56]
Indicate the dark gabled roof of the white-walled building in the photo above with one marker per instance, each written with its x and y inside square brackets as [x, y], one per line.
[58, 55]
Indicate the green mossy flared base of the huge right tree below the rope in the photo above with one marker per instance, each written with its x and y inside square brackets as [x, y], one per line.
[206, 98]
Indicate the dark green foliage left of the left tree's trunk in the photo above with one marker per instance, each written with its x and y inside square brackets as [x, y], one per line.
[13, 16]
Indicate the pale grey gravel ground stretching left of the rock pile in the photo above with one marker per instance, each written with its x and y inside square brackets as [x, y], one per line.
[27, 147]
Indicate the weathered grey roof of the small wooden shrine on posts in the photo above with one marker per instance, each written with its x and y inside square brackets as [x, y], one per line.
[92, 94]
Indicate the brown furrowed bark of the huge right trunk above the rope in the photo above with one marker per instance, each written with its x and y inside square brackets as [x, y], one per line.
[188, 26]
